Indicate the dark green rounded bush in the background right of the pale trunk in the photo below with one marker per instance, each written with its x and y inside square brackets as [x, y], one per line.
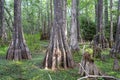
[88, 28]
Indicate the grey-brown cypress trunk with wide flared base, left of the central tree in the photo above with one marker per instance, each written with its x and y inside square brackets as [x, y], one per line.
[18, 49]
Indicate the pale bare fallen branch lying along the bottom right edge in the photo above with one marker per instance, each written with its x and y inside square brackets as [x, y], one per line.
[97, 76]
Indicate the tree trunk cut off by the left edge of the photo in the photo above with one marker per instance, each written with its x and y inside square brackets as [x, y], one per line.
[3, 35]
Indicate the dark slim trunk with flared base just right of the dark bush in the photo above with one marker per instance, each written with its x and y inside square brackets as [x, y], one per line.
[101, 37]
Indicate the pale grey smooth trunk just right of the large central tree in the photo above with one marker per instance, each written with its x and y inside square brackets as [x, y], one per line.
[73, 33]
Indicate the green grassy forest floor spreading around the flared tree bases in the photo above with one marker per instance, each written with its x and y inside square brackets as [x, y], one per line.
[32, 69]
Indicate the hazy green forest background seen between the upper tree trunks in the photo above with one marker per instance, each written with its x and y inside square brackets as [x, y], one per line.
[37, 14]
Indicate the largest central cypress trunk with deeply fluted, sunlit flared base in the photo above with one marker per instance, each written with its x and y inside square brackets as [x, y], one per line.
[58, 54]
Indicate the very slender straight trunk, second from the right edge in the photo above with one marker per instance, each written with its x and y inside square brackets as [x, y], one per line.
[111, 24]
